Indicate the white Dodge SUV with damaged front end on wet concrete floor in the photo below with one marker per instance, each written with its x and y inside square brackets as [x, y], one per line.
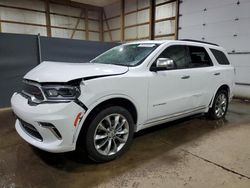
[97, 106]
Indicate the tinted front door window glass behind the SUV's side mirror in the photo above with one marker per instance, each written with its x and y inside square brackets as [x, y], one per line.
[178, 54]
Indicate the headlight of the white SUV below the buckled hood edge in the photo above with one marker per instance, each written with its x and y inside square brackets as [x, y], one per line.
[63, 92]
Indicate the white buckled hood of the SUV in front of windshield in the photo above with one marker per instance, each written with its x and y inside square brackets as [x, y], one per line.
[63, 72]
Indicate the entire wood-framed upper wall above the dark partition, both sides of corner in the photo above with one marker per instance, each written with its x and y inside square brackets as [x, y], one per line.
[124, 20]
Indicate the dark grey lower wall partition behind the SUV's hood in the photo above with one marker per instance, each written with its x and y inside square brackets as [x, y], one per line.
[20, 53]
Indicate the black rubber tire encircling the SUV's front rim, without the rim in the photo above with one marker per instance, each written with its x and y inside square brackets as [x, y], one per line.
[89, 142]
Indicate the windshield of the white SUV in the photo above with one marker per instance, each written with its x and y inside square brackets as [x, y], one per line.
[126, 55]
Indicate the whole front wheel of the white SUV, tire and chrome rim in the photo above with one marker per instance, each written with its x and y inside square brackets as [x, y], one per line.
[109, 134]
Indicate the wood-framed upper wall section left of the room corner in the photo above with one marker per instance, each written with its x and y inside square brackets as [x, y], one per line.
[50, 19]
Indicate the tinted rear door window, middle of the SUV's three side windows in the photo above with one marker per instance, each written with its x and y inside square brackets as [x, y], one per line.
[198, 57]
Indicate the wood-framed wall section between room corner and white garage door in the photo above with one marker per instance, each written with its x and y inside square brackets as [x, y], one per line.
[137, 22]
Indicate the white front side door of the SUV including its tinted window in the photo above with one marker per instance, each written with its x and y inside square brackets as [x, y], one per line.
[169, 90]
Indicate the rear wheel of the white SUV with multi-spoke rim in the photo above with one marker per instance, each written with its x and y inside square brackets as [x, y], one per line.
[220, 105]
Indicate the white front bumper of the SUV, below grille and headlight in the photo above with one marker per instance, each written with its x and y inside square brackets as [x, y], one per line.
[61, 115]
